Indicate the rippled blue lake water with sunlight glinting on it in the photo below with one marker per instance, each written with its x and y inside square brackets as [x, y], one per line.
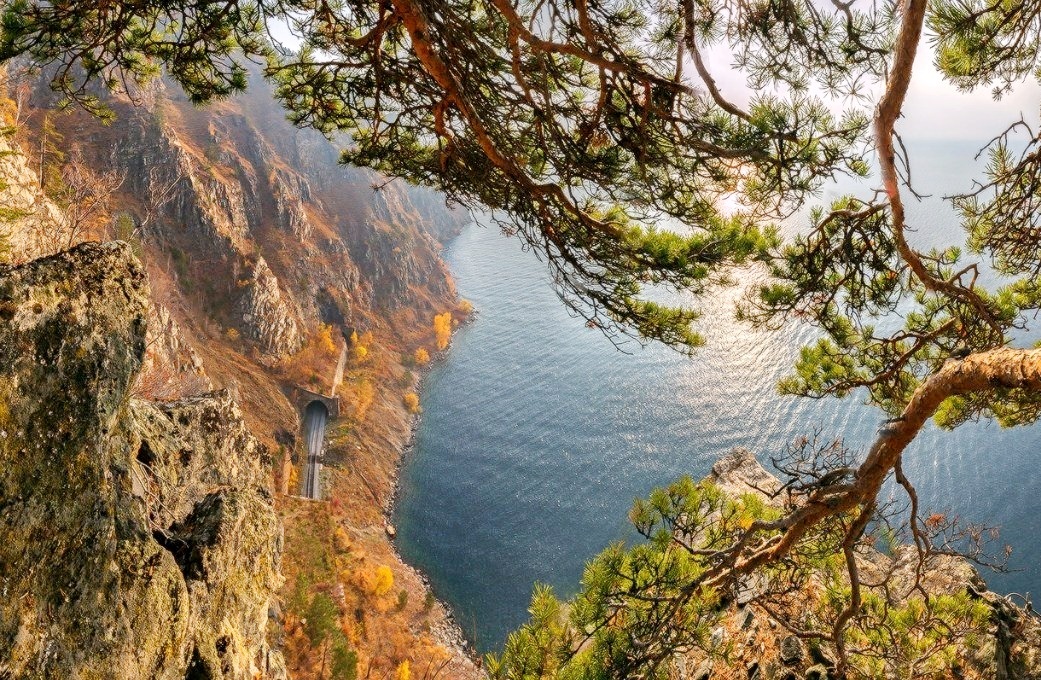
[538, 434]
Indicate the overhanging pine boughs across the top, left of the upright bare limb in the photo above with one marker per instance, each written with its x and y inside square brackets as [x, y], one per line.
[581, 150]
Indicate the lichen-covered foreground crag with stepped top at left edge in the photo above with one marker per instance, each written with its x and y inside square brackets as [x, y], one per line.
[139, 540]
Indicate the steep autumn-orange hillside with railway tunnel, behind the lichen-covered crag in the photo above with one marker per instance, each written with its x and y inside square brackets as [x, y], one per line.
[265, 259]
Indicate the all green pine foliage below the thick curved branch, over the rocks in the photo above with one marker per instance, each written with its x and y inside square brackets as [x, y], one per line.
[642, 606]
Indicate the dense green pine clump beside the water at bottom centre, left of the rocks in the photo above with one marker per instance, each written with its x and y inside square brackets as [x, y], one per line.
[639, 606]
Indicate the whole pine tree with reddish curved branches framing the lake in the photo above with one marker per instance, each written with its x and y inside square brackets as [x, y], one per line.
[583, 124]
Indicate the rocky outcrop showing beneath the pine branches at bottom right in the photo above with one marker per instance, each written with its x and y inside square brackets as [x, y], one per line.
[750, 644]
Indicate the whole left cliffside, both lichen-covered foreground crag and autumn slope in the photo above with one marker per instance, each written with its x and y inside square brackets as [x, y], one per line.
[155, 546]
